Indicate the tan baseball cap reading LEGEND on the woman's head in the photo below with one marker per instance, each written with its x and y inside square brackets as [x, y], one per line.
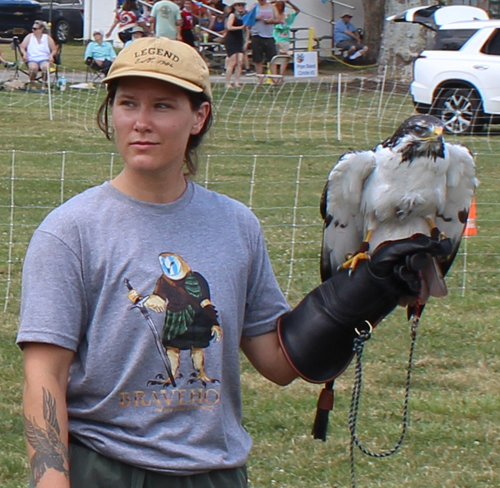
[163, 59]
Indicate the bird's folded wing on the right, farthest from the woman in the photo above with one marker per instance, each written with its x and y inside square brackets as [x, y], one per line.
[461, 184]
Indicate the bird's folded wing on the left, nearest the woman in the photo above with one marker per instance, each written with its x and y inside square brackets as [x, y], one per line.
[340, 209]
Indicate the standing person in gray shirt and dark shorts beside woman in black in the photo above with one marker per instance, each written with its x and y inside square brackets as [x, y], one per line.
[263, 45]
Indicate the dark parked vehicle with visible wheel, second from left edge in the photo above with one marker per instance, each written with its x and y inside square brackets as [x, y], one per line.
[66, 18]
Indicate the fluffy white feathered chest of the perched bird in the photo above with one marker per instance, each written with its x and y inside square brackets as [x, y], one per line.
[401, 190]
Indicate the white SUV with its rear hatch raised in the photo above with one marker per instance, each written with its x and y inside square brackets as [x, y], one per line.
[458, 80]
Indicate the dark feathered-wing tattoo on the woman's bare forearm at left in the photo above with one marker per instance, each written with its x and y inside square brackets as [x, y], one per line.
[50, 451]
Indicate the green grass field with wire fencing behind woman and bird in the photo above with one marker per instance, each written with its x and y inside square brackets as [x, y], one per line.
[273, 151]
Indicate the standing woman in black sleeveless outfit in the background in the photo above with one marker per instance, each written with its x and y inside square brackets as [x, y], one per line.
[235, 41]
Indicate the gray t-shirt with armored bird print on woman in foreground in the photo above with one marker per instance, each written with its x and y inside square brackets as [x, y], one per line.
[74, 295]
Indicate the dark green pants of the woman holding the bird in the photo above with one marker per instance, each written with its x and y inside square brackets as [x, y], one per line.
[90, 469]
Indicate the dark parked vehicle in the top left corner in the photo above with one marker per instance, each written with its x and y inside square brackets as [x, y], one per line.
[17, 17]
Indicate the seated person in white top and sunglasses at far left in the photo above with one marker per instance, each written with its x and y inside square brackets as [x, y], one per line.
[39, 50]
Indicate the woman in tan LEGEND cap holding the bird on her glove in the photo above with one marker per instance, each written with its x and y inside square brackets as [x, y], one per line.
[149, 251]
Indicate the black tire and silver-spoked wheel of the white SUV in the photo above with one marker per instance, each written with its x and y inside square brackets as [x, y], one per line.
[460, 110]
